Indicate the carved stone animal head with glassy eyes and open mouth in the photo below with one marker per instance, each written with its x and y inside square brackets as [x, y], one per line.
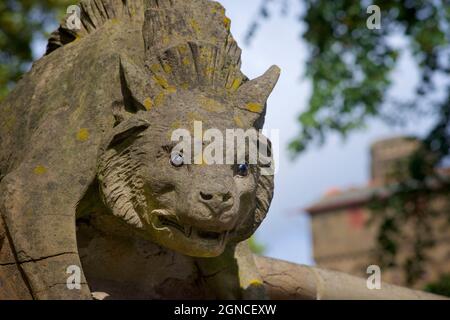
[192, 207]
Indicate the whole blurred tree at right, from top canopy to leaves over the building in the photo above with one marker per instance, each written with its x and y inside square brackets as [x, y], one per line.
[349, 65]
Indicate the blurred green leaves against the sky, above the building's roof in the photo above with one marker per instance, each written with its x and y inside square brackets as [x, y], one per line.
[350, 66]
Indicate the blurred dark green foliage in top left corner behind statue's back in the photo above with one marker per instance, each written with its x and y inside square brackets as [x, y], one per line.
[22, 22]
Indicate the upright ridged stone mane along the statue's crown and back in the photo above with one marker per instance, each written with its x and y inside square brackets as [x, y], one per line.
[190, 38]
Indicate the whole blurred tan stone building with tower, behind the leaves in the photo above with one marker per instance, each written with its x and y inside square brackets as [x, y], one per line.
[344, 241]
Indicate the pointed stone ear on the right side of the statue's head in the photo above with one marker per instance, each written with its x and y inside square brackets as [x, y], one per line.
[253, 95]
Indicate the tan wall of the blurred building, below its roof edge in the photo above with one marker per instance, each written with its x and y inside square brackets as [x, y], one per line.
[344, 241]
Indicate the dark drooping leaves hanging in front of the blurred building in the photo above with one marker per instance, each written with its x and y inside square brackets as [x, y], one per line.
[410, 224]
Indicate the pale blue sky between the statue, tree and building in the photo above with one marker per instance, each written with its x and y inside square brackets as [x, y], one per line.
[286, 231]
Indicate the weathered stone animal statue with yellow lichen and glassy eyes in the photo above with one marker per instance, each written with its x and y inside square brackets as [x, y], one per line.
[85, 173]
